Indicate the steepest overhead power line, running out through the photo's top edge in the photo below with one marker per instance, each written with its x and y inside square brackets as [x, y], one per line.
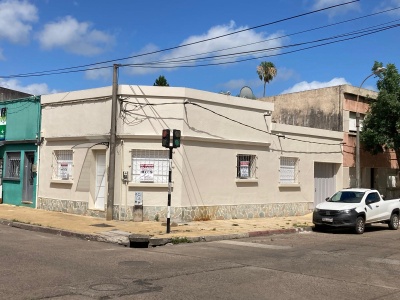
[70, 69]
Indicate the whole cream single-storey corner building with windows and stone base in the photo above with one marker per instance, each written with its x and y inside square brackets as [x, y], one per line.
[233, 161]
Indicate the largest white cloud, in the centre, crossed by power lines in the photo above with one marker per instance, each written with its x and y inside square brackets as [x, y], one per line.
[229, 44]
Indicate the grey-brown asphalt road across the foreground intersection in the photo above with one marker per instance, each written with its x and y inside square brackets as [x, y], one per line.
[310, 265]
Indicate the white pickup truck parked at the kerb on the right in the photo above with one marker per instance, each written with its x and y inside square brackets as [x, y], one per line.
[355, 208]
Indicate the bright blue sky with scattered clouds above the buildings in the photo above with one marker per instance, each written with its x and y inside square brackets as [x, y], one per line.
[44, 35]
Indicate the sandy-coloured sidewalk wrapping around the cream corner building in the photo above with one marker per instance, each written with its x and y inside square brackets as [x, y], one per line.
[128, 232]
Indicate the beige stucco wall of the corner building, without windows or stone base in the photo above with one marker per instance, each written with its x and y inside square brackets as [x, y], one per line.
[204, 167]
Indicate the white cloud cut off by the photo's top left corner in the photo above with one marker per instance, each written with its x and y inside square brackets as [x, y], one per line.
[15, 20]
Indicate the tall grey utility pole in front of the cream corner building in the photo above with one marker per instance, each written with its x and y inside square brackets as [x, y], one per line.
[113, 134]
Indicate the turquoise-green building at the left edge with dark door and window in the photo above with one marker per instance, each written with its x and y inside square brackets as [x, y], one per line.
[19, 139]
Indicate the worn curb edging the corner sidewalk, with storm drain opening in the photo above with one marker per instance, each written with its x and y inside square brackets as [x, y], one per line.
[145, 241]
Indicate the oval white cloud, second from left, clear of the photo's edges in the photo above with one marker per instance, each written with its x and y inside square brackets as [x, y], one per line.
[74, 37]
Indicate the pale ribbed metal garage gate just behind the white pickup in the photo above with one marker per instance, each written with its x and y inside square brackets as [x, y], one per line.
[324, 181]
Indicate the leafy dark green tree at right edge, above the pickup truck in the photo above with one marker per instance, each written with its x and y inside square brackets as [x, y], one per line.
[381, 126]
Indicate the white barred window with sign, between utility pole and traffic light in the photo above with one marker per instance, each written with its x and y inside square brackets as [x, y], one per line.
[150, 166]
